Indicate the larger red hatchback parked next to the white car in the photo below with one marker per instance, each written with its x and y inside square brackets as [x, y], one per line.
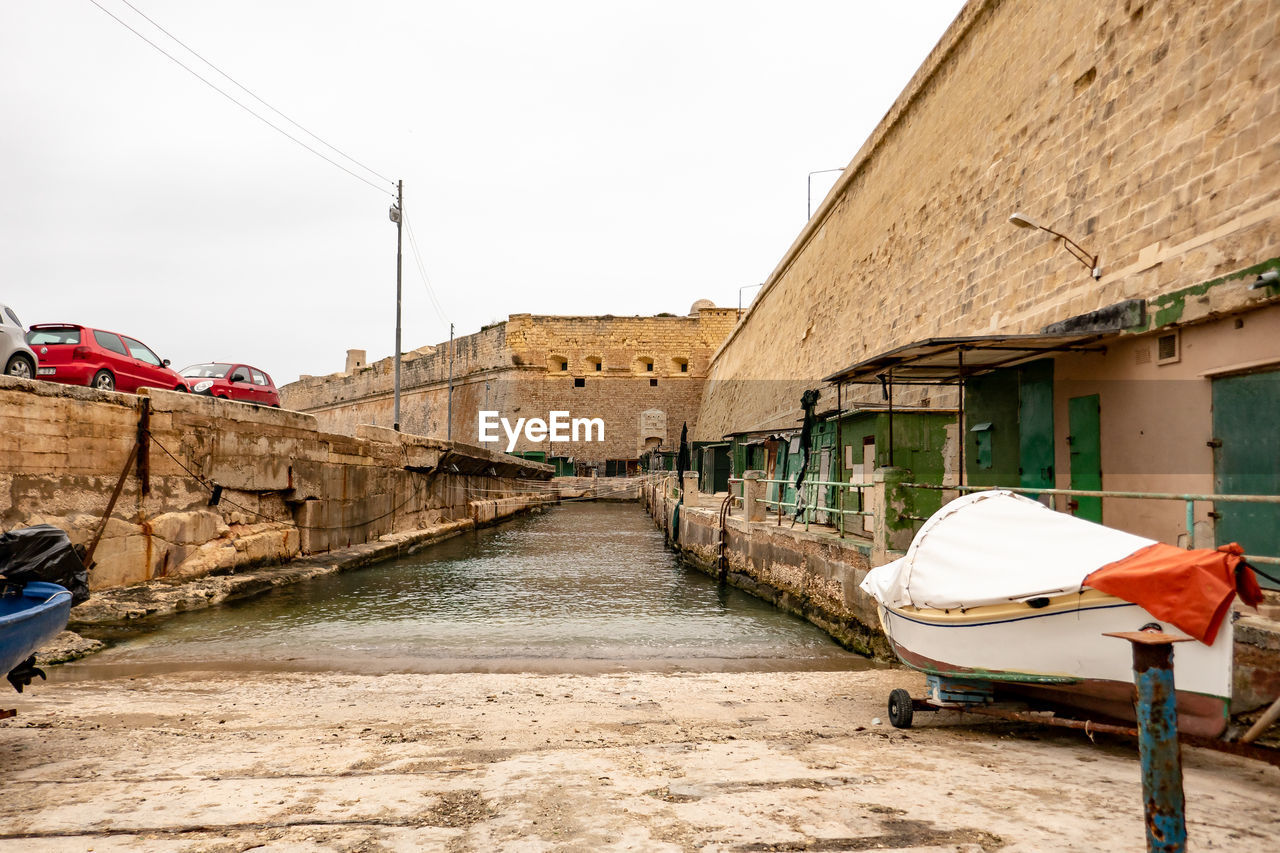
[77, 355]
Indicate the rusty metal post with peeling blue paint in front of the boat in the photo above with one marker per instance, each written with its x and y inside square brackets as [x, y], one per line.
[1164, 805]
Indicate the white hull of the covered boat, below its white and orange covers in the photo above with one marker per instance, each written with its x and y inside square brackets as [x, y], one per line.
[1058, 654]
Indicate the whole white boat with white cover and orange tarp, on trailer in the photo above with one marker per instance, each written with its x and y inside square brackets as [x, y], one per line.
[1000, 591]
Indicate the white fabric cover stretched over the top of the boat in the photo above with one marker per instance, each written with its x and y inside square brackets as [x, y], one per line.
[994, 548]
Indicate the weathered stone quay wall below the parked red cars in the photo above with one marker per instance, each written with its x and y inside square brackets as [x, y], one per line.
[286, 487]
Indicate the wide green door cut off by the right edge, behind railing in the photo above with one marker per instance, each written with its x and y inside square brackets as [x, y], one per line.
[1247, 462]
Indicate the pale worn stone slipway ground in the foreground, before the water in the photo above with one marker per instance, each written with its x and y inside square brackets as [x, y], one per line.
[757, 761]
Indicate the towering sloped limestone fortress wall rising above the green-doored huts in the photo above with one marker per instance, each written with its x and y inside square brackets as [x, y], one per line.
[1145, 131]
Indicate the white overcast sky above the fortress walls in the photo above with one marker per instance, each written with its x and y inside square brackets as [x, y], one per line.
[559, 158]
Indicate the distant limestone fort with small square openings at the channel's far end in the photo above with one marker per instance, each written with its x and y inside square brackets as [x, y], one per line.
[641, 376]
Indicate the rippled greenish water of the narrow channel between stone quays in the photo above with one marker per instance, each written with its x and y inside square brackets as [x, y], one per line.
[580, 589]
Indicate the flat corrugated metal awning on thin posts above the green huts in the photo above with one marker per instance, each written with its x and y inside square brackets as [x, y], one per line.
[944, 361]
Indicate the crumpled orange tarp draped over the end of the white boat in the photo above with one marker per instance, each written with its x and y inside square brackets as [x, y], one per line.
[1192, 590]
